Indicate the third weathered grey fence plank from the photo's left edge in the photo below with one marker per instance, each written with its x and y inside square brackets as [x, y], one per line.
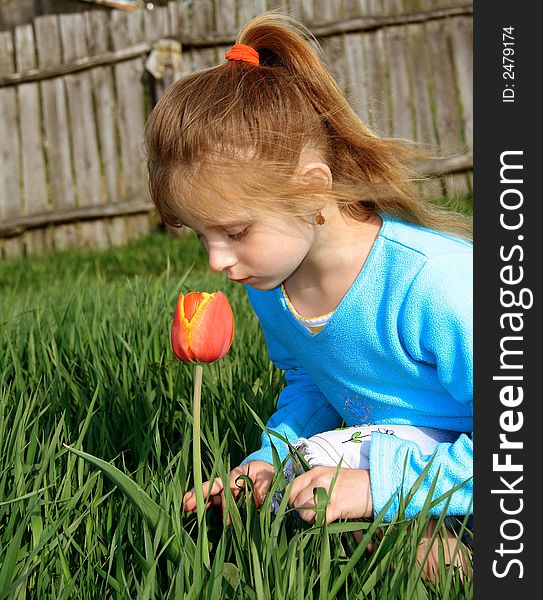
[55, 114]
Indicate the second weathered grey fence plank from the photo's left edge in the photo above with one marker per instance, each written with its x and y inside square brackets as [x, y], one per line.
[34, 184]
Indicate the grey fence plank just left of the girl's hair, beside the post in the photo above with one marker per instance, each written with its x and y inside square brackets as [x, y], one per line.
[126, 29]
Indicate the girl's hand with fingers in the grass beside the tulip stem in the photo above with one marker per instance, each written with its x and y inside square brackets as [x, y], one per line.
[259, 471]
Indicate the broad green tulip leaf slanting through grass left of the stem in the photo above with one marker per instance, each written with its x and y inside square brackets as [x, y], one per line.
[151, 511]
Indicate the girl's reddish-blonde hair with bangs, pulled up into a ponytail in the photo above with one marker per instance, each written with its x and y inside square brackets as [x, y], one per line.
[230, 137]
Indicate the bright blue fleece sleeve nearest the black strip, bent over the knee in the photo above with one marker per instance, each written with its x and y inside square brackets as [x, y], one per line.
[436, 328]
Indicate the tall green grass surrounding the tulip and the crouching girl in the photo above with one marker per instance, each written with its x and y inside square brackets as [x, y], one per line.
[86, 361]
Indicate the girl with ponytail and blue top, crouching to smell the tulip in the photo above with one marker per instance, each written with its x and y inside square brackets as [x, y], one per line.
[363, 290]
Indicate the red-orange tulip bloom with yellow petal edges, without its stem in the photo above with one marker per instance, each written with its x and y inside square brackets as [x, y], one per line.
[203, 327]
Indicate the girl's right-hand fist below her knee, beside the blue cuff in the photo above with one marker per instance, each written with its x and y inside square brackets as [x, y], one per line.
[350, 497]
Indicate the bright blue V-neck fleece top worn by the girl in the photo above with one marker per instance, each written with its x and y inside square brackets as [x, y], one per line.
[398, 350]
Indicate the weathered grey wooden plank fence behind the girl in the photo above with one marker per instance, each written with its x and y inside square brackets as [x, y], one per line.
[75, 92]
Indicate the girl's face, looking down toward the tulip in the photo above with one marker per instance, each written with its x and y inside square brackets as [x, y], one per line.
[261, 251]
